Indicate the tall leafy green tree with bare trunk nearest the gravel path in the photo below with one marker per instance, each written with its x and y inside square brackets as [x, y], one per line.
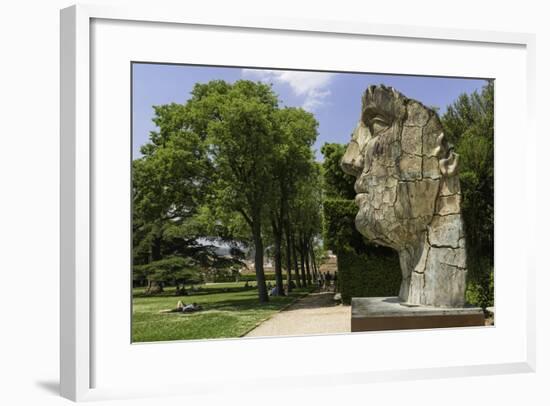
[238, 120]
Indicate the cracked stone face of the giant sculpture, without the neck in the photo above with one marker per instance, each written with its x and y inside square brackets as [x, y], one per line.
[394, 157]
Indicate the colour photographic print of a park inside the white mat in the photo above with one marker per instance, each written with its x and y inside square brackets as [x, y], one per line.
[270, 202]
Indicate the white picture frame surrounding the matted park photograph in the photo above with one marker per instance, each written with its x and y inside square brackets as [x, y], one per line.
[77, 281]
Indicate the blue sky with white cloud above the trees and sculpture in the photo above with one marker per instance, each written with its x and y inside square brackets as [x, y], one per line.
[334, 98]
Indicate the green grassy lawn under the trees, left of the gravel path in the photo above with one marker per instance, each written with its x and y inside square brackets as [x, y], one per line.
[229, 310]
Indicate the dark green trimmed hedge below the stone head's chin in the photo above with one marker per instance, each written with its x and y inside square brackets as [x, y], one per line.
[364, 269]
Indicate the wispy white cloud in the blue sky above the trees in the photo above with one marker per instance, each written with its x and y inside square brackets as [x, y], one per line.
[313, 86]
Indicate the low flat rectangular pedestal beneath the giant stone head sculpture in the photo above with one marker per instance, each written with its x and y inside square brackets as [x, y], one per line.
[387, 313]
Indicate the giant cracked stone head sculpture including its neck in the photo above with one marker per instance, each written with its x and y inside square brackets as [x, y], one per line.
[408, 194]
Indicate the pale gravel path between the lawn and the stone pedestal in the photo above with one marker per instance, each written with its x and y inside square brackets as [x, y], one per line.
[314, 314]
